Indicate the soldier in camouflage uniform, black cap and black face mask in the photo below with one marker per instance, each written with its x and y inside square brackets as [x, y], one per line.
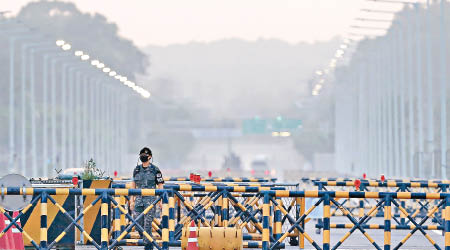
[145, 175]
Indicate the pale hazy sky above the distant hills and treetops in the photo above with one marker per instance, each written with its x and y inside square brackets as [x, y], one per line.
[162, 22]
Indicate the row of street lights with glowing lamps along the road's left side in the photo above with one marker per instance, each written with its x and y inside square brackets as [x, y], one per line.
[64, 106]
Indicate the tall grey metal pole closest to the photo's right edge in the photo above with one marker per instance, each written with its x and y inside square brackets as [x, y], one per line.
[443, 90]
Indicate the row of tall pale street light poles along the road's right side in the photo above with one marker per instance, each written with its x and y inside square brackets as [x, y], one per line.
[385, 110]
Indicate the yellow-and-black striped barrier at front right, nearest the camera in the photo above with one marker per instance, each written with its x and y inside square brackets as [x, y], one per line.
[385, 202]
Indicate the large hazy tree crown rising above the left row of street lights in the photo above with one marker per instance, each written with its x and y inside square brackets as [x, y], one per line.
[91, 33]
